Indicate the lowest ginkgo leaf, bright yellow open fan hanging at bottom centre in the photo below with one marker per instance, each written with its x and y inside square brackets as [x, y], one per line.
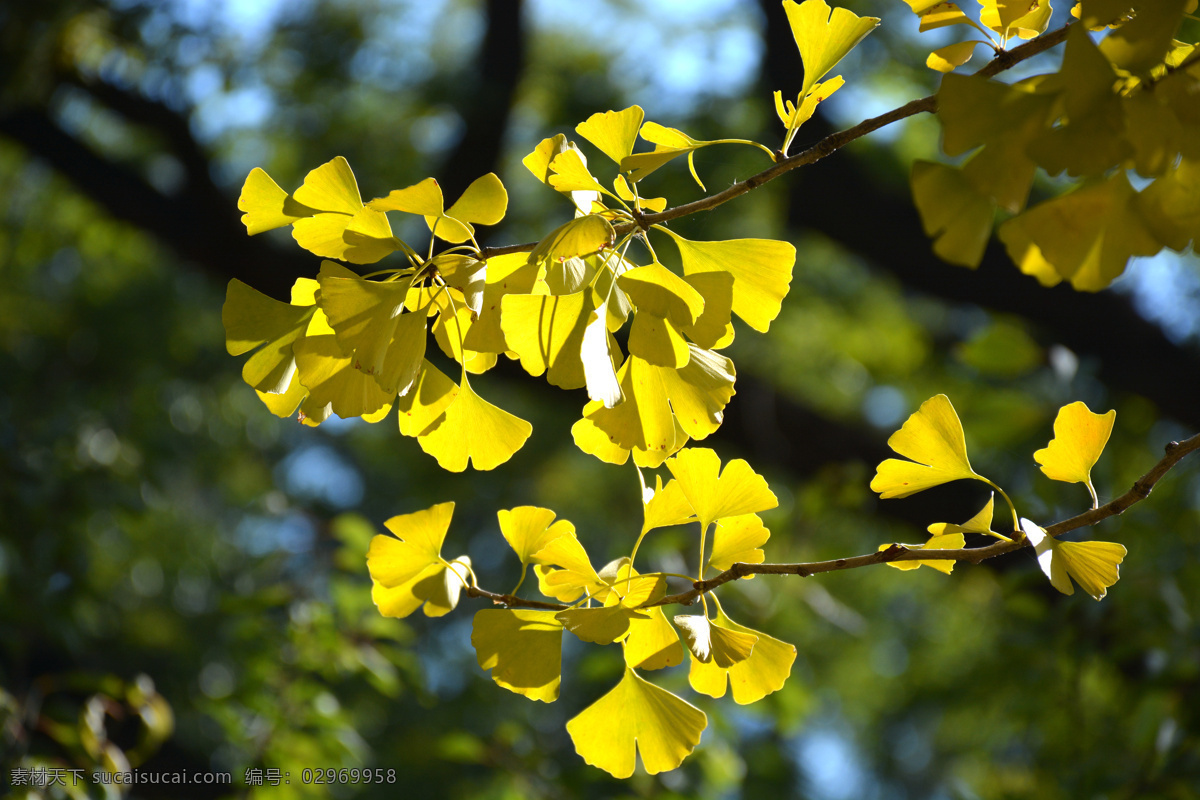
[637, 718]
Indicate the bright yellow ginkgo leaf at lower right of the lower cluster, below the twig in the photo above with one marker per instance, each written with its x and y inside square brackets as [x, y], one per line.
[764, 672]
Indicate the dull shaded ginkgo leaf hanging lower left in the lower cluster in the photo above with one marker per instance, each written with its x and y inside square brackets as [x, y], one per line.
[524, 648]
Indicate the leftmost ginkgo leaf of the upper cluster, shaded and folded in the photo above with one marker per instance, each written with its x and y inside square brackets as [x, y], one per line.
[251, 321]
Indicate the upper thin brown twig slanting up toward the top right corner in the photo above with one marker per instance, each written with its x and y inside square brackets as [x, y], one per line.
[826, 147]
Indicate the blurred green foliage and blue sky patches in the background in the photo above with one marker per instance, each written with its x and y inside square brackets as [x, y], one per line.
[183, 581]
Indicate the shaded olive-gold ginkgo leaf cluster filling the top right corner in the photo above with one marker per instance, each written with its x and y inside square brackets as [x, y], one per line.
[1124, 104]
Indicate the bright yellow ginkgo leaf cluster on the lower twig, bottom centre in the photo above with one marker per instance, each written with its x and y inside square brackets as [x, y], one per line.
[611, 605]
